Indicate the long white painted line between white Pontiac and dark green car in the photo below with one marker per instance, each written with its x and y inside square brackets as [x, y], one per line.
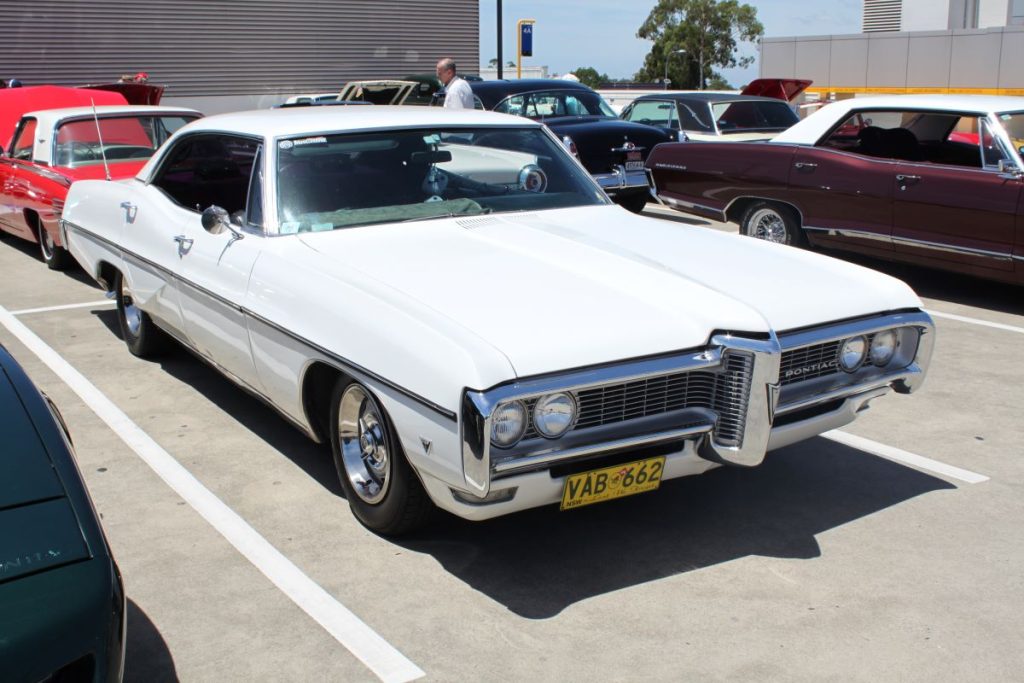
[379, 656]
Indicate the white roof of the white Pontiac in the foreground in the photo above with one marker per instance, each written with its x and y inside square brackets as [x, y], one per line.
[318, 120]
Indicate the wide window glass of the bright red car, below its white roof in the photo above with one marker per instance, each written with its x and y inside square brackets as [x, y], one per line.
[119, 139]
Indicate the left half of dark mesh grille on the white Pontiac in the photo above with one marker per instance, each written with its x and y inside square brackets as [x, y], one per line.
[726, 392]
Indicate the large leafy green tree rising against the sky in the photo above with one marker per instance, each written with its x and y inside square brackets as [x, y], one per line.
[709, 31]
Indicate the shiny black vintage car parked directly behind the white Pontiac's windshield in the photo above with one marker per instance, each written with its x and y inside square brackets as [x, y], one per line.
[614, 151]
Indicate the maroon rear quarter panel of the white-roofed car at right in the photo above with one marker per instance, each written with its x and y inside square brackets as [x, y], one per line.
[705, 178]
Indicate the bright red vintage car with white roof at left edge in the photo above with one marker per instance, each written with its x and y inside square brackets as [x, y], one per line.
[53, 148]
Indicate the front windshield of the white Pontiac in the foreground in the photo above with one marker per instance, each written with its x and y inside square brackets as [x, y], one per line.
[331, 182]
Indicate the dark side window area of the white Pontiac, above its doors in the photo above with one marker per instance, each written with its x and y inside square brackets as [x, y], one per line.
[205, 170]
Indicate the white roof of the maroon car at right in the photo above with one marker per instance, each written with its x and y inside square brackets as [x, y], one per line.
[814, 127]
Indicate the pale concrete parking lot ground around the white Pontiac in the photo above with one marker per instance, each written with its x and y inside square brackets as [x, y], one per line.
[889, 551]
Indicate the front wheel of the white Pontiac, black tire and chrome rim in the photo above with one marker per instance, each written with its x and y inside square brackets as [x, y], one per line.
[391, 500]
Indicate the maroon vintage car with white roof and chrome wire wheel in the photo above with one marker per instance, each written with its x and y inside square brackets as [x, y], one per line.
[929, 180]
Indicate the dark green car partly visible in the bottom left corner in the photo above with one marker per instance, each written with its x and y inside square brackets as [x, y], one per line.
[62, 601]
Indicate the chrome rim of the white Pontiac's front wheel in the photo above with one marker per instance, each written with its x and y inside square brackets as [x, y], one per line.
[366, 451]
